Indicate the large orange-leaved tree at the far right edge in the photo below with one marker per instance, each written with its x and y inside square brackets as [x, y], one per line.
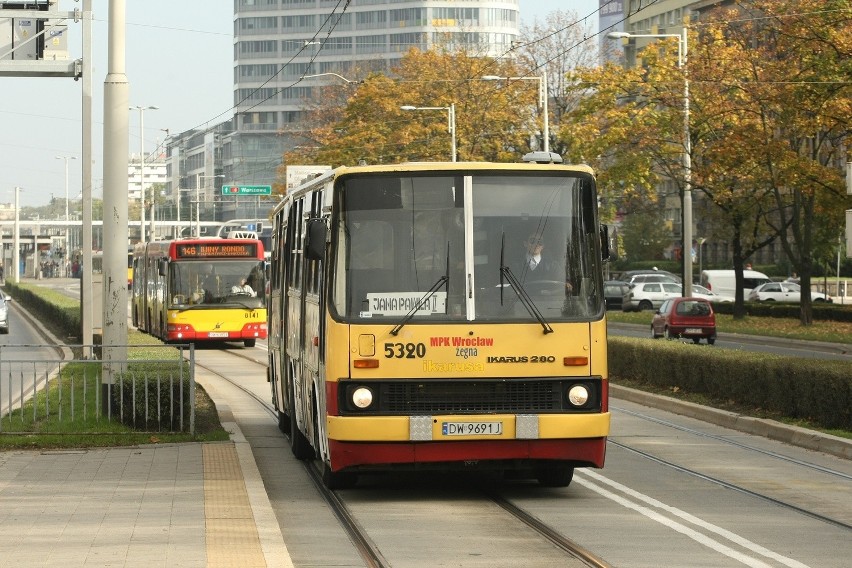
[775, 82]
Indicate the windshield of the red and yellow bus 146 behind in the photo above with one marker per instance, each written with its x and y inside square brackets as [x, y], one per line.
[217, 282]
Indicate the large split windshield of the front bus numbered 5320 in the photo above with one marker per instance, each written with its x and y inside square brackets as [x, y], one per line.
[505, 246]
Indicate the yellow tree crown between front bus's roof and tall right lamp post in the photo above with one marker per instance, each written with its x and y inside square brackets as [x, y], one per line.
[627, 125]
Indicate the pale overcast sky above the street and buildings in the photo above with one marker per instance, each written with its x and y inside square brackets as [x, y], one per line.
[179, 57]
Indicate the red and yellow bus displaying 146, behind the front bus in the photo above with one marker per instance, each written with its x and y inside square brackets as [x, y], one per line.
[200, 290]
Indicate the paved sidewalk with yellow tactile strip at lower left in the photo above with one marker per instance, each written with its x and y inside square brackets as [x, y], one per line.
[163, 505]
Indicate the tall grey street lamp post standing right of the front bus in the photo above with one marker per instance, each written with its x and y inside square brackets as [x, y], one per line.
[687, 150]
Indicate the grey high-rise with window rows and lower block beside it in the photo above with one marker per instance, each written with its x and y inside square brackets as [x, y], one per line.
[284, 50]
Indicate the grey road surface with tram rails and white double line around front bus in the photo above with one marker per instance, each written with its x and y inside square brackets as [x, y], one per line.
[675, 492]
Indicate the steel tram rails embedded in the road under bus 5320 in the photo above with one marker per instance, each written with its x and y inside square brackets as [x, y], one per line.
[368, 550]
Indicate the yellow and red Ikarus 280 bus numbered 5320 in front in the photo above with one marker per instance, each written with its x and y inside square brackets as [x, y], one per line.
[441, 315]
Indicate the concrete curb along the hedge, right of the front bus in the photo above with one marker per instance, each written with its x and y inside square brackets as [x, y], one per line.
[793, 435]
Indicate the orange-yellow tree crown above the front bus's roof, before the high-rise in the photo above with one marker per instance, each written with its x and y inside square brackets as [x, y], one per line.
[493, 121]
